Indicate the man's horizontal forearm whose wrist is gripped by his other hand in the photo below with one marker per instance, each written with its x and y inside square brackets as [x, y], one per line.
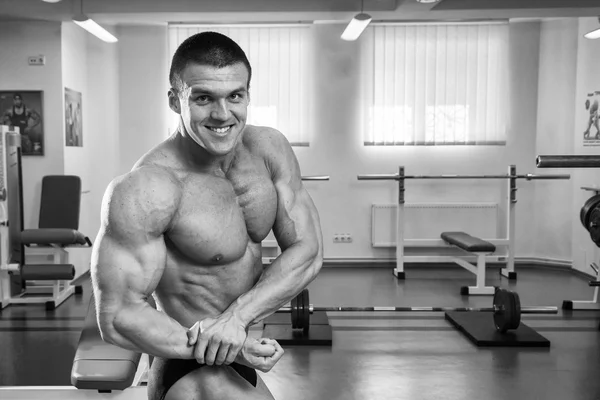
[146, 330]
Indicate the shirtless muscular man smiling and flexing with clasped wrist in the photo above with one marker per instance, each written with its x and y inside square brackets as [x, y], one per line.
[185, 226]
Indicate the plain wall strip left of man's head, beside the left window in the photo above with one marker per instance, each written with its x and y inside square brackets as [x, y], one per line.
[143, 77]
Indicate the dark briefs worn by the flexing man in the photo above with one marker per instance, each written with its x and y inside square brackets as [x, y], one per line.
[165, 372]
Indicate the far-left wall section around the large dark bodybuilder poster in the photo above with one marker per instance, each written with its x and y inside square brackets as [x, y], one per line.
[18, 40]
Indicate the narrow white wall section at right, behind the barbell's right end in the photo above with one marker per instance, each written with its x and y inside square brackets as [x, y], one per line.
[556, 94]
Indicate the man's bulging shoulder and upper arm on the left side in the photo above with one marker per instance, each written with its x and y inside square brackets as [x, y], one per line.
[129, 254]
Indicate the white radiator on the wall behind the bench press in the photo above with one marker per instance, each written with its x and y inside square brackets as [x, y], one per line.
[428, 220]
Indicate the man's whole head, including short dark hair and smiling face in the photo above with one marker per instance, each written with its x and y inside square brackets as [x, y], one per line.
[210, 79]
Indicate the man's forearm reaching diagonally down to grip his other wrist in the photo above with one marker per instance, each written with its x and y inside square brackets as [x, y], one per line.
[287, 275]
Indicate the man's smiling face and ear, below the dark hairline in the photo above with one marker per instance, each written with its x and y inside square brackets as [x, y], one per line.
[213, 105]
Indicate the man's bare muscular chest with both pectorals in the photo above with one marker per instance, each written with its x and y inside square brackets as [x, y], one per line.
[220, 214]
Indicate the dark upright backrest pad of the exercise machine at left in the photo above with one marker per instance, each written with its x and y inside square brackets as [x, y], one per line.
[60, 202]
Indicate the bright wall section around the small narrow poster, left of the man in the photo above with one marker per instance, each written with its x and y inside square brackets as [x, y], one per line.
[90, 67]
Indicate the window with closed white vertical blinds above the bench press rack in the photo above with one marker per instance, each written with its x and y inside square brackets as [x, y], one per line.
[428, 84]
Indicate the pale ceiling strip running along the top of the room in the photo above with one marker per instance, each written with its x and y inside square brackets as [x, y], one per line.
[164, 11]
